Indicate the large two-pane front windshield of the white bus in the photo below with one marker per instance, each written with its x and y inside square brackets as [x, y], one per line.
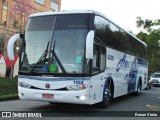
[55, 44]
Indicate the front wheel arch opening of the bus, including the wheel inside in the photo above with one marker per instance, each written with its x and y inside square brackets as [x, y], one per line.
[108, 92]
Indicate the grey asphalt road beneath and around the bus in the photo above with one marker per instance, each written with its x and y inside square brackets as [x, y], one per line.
[148, 101]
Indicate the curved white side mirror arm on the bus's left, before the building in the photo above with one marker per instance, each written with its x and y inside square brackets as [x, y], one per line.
[10, 46]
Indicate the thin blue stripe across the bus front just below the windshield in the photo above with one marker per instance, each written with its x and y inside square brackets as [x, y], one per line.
[53, 79]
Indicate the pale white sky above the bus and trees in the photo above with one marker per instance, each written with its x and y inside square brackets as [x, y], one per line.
[122, 12]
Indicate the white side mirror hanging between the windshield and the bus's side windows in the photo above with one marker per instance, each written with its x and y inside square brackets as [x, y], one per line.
[89, 45]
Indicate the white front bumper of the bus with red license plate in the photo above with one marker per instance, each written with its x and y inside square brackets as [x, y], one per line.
[75, 97]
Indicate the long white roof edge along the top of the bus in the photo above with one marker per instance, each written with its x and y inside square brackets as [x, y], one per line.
[84, 12]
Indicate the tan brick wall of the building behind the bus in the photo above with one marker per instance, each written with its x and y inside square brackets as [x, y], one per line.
[9, 28]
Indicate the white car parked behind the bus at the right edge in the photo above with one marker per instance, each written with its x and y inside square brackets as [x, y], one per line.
[155, 79]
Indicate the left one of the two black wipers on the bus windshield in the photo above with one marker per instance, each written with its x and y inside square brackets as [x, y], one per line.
[42, 58]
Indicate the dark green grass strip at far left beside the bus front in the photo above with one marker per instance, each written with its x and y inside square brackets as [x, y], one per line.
[8, 86]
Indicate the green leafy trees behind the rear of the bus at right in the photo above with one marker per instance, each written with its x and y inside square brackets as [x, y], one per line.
[151, 36]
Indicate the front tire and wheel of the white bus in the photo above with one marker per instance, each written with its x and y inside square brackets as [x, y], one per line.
[106, 97]
